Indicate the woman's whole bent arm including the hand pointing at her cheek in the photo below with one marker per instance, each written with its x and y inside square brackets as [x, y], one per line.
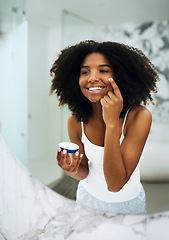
[121, 160]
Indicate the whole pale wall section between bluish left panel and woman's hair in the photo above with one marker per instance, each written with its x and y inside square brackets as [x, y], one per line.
[44, 134]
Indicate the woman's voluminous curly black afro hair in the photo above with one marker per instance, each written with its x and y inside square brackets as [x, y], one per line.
[133, 72]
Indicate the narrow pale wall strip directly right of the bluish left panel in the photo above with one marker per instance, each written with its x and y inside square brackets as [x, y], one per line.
[37, 90]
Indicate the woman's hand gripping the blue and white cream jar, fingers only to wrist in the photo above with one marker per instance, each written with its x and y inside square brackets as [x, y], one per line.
[64, 161]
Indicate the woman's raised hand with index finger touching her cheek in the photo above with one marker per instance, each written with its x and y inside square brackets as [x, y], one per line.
[112, 104]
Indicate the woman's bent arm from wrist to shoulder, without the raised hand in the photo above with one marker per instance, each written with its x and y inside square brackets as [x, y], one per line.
[120, 161]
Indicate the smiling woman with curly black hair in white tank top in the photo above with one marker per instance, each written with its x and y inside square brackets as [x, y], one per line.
[104, 85]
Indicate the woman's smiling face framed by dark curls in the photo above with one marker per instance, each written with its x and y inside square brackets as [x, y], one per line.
[94, 77]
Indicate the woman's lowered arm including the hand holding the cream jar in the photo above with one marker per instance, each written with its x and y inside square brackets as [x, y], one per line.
[78, 169]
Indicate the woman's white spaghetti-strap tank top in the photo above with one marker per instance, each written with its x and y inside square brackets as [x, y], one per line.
[95, 182]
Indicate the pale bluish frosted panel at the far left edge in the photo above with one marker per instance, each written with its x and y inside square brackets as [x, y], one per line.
[13, 90]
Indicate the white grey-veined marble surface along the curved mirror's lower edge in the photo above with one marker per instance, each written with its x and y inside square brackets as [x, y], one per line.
[30, 210]
